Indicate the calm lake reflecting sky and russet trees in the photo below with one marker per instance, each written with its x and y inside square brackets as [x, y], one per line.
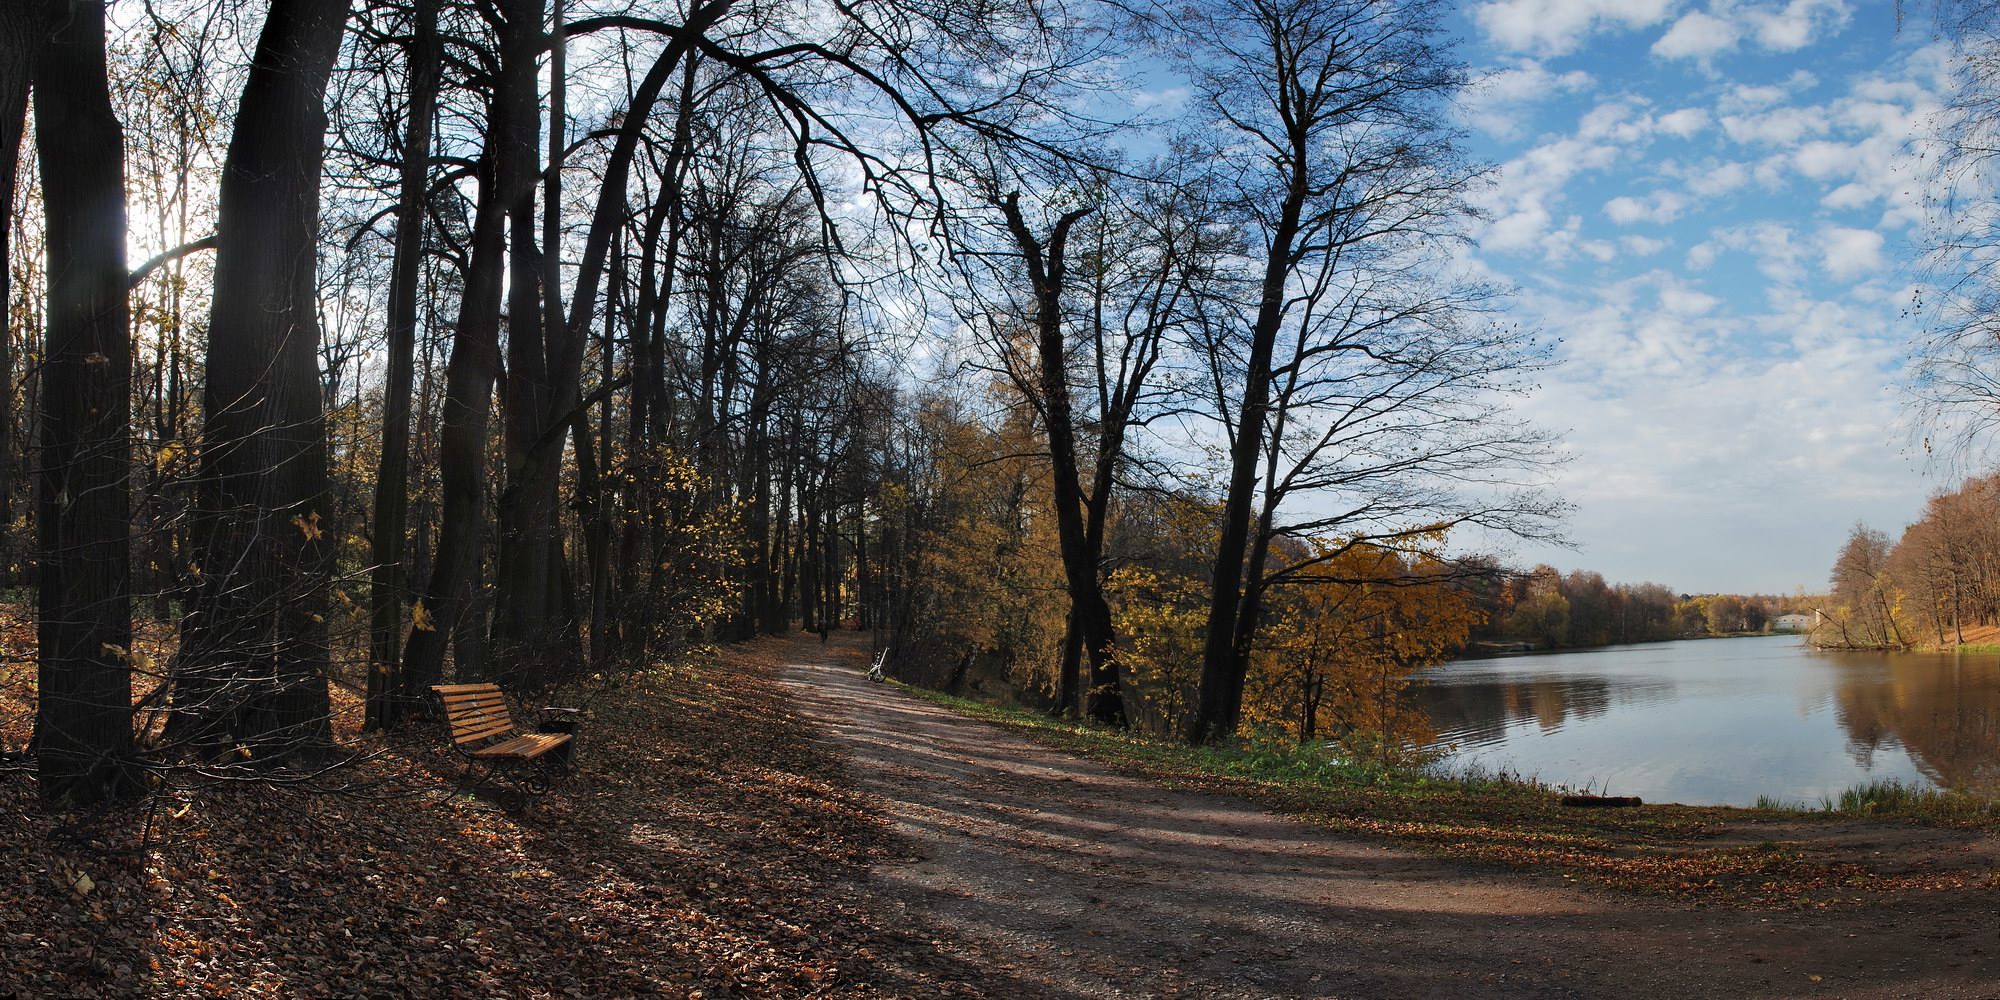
[1725, 721]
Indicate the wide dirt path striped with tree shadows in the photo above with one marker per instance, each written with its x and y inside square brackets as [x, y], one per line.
[1067, 879]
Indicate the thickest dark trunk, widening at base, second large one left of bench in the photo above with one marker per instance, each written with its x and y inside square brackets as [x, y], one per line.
[255, 645]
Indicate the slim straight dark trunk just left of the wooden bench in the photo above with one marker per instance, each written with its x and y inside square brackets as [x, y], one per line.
[387, 693]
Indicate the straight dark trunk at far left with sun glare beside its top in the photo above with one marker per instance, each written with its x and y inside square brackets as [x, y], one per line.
[83, 731]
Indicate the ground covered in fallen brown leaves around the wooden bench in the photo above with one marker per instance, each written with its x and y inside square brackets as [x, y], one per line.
[703, 849]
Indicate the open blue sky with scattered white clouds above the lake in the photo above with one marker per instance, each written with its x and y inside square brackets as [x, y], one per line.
[1717, 209]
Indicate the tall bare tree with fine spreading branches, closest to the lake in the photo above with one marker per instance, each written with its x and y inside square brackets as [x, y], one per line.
[1359, 371]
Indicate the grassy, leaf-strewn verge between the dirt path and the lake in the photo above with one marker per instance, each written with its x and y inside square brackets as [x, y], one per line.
[1773, 855]
